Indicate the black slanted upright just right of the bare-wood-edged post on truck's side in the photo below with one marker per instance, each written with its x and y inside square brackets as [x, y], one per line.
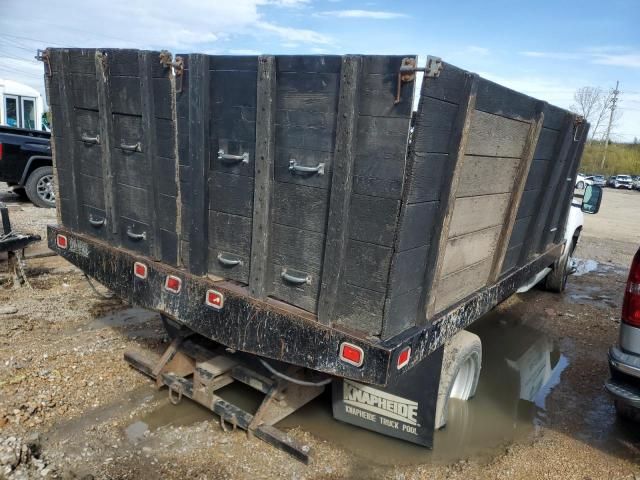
[545, 198]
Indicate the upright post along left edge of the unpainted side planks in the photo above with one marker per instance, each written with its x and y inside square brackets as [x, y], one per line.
[457, 149]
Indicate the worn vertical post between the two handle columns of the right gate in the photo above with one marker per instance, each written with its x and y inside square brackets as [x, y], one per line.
[263, 185]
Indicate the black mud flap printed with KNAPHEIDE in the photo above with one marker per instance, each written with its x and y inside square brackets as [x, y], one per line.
[404, 410]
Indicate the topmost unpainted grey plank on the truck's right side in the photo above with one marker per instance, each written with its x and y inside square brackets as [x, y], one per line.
[495, 136]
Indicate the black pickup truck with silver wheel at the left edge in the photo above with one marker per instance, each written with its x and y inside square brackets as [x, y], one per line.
[25, 164]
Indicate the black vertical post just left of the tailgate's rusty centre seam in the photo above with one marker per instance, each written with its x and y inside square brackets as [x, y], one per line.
[149, 147]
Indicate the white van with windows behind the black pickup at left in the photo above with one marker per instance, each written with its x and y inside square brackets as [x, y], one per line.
[21, 106]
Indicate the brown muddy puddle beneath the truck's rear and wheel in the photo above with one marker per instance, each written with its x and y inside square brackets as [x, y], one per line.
[521, 366]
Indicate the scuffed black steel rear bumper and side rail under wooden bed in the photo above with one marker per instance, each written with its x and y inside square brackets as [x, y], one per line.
[274, 329]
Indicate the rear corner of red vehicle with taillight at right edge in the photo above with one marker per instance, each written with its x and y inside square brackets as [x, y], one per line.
[624, 358]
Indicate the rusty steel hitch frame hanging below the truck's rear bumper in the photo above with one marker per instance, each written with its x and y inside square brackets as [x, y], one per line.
[192, 371]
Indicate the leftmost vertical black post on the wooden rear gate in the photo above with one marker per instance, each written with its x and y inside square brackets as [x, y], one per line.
[68, 142]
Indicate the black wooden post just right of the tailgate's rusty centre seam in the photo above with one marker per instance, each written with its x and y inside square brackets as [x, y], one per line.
[199, 119]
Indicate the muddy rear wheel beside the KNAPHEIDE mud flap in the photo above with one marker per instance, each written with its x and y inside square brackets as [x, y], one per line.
[461, 364]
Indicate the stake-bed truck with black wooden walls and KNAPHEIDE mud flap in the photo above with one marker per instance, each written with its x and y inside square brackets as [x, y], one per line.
[297, 224]
